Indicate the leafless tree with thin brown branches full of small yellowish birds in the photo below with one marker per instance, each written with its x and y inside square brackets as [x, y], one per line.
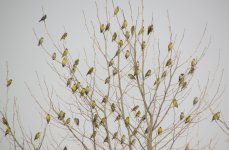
[135, 94]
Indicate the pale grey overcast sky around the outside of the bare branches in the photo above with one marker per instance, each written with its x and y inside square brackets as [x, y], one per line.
[18, 44]
